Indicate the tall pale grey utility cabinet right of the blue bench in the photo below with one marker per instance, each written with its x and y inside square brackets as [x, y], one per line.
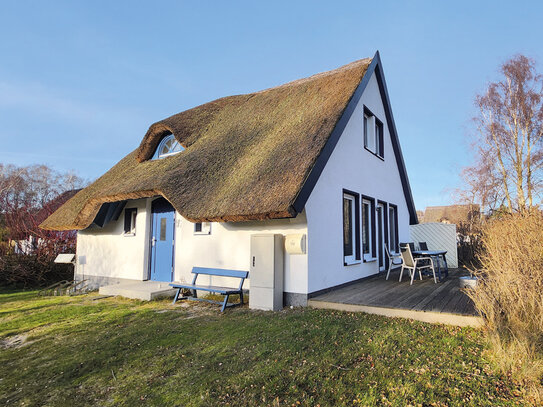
[266, 272]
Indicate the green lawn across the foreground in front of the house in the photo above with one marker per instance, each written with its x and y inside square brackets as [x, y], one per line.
[78, 351]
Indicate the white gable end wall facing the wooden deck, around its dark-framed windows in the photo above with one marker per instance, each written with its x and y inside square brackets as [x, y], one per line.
[354, 168]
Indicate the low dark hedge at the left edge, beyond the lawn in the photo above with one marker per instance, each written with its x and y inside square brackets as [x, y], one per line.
[31, 271]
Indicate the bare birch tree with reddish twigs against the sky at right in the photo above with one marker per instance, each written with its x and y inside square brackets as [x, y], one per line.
[509, 142]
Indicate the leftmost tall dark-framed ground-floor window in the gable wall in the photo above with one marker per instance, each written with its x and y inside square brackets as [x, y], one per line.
[351, 228]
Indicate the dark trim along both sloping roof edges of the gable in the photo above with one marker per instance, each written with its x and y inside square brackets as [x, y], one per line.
[324, 156]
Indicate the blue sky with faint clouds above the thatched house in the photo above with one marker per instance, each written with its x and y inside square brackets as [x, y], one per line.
[80, 82]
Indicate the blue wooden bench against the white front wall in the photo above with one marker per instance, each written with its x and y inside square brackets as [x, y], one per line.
[226, 291]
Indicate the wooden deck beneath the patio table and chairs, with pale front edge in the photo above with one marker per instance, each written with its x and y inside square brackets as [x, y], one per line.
[426, 301]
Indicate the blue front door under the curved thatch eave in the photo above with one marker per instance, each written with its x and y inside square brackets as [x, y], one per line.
[162, 240]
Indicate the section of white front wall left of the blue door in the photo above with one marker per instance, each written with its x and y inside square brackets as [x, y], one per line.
[109, 253]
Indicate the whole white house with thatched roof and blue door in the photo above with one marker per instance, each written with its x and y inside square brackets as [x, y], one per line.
[318, 158]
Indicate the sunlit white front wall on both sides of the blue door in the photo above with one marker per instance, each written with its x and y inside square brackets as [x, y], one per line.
[110, 254]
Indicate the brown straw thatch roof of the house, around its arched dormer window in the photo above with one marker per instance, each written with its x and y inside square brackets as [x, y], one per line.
[246, 157]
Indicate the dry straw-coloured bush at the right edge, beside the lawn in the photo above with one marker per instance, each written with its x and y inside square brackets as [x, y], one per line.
[509, 293]
